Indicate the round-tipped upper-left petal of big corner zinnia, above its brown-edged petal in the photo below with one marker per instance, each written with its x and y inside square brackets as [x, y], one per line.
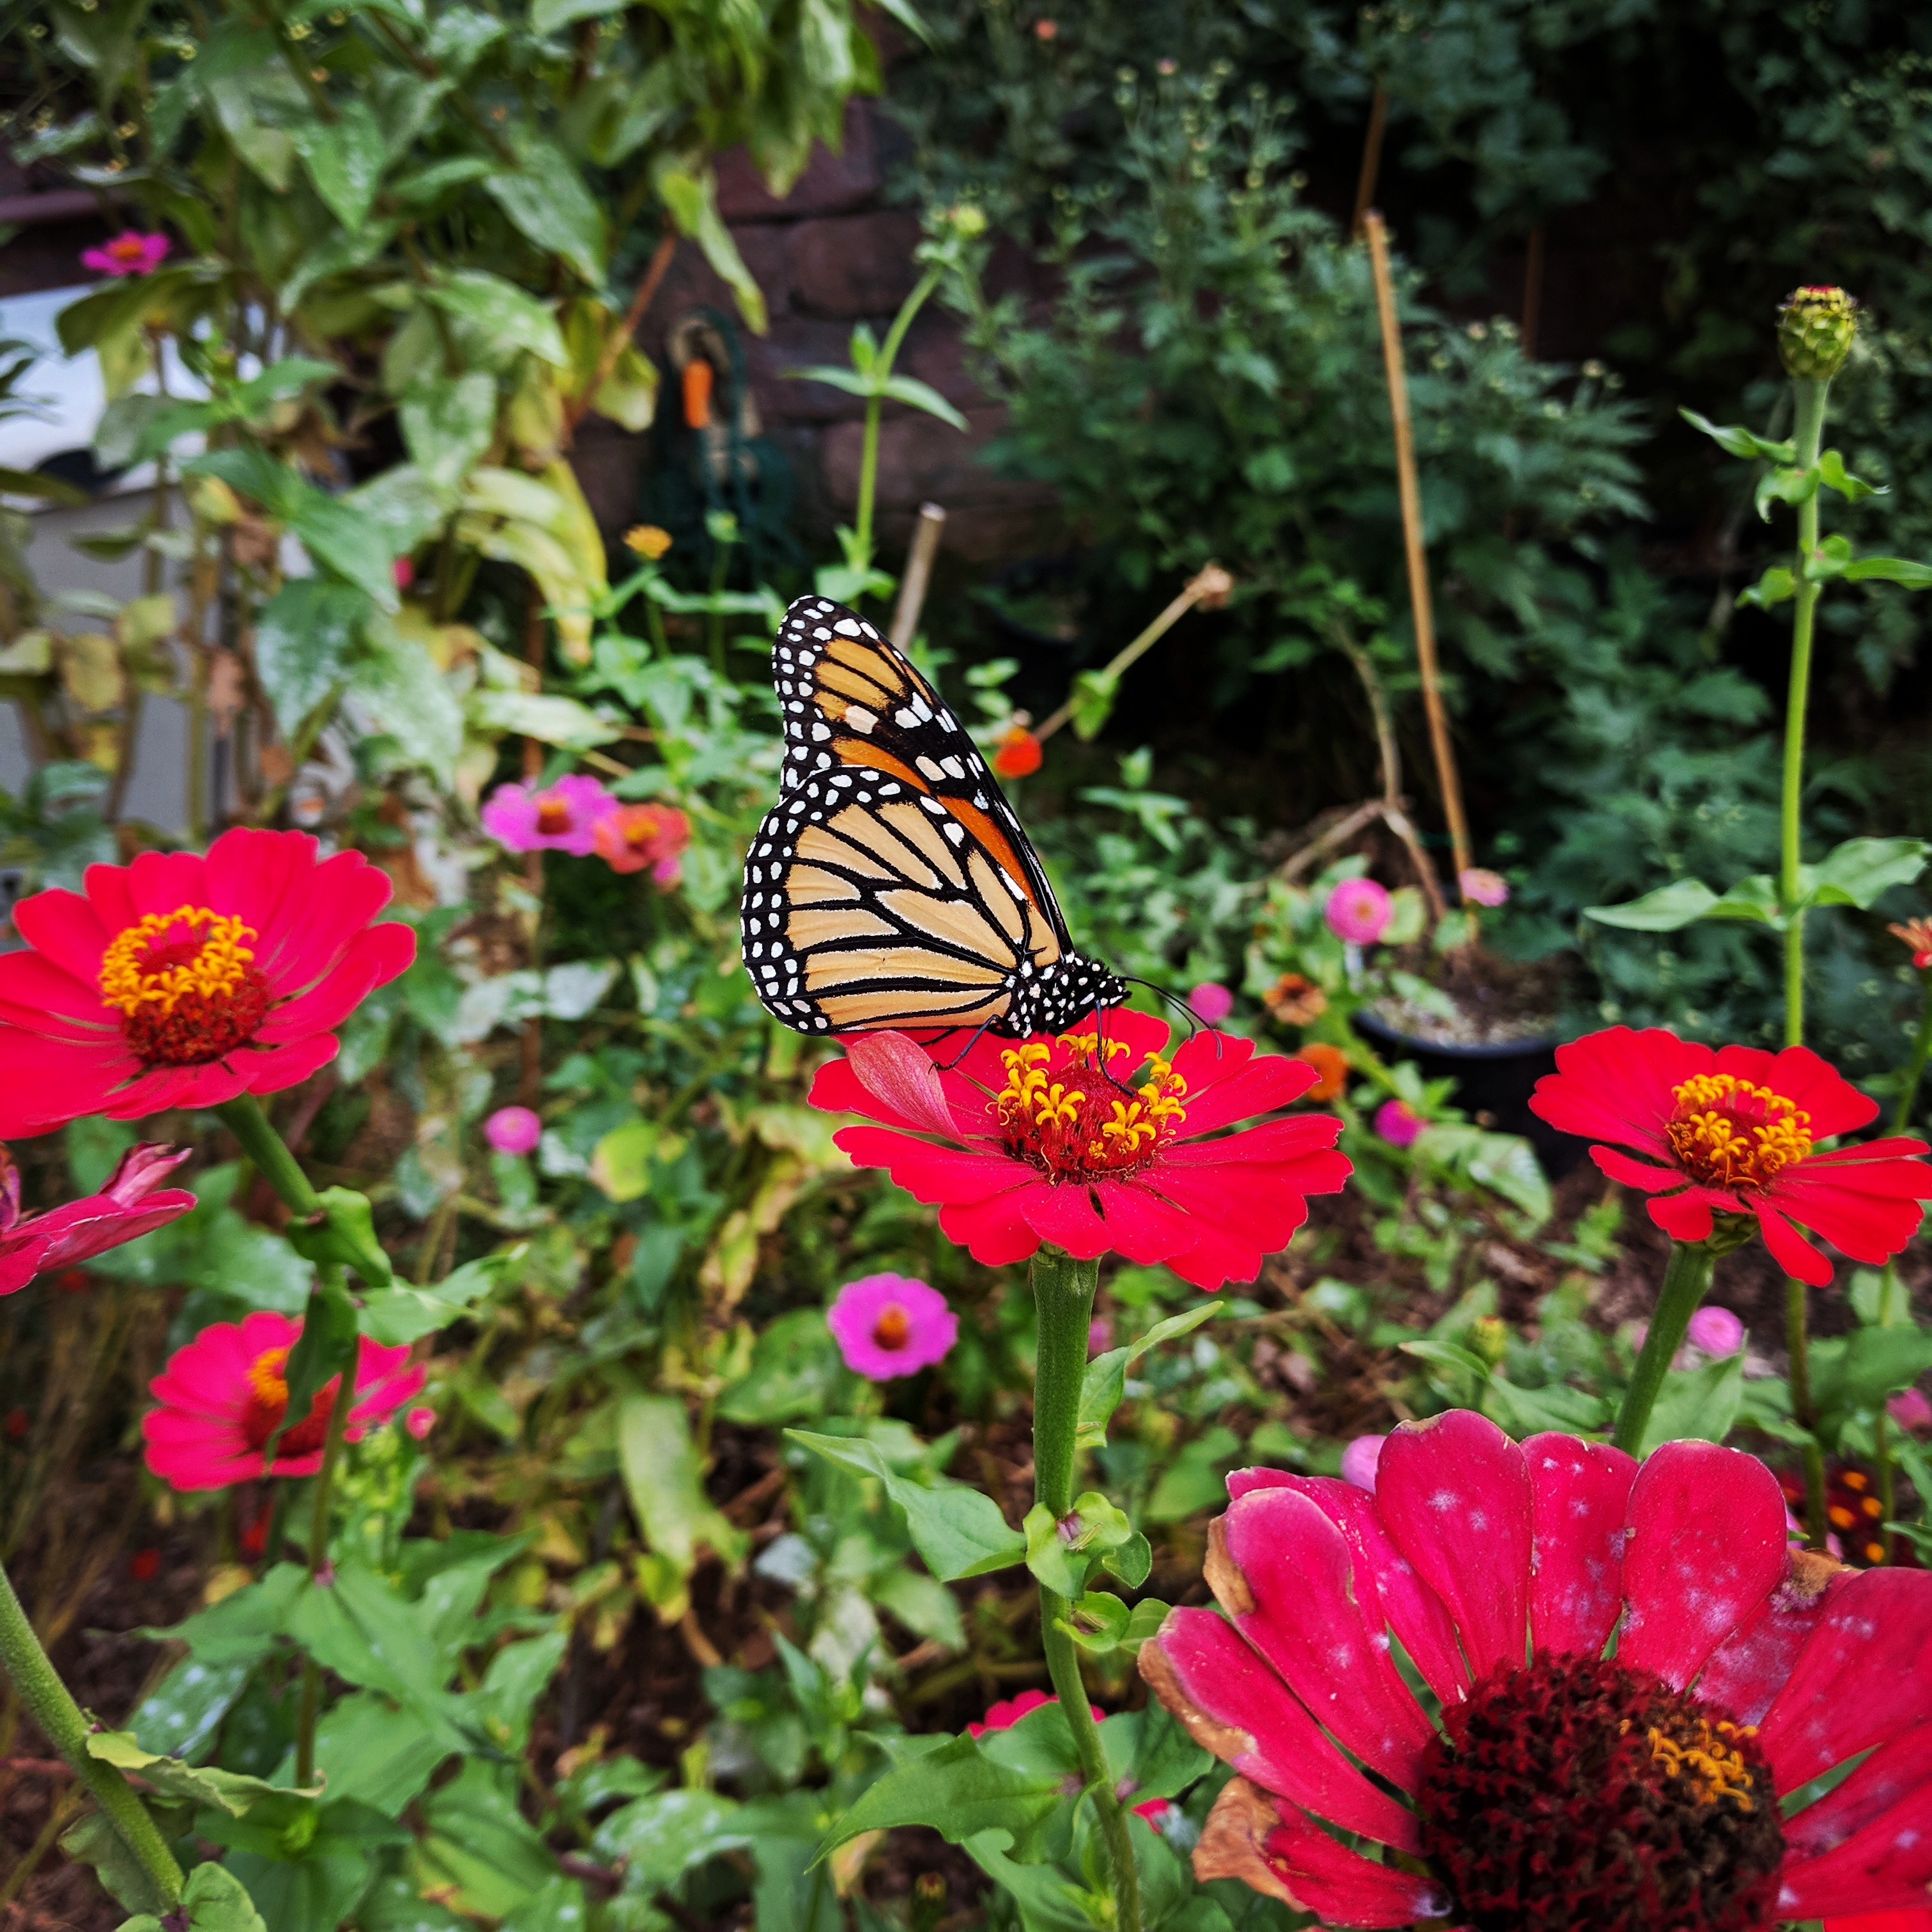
[1309, 1624]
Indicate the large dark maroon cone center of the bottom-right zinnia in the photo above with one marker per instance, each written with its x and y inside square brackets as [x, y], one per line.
[1581, 1796]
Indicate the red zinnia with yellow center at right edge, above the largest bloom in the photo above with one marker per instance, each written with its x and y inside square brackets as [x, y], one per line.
[1738, 1131]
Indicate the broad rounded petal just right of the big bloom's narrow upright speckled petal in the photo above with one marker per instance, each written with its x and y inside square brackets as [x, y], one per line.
[1707, 1548]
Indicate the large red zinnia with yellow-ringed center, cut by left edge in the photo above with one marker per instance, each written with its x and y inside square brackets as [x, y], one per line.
[185, 980]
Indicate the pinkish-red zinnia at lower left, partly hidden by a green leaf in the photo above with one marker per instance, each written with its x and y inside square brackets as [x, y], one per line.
[227, 1392]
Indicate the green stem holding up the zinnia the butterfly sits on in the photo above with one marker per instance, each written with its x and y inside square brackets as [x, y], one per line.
[1064, 1303]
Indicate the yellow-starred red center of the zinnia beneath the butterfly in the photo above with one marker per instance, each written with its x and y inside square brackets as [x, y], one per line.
[1073, 1120]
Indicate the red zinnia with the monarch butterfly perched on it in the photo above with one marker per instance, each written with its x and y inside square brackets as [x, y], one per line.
[1046, 1141]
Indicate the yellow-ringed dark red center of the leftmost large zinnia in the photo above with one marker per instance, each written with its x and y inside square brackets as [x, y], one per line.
[186, 986]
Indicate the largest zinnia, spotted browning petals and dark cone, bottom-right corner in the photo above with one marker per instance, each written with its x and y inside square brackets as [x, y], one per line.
[1560, 1788]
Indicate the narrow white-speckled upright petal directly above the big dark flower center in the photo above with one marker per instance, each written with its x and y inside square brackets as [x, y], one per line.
[1579, 1500]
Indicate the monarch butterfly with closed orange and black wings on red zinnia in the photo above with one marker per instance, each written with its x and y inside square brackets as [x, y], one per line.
[892, 886]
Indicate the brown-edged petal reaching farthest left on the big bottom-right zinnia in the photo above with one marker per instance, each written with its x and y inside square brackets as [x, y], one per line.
[1259, 1726]
